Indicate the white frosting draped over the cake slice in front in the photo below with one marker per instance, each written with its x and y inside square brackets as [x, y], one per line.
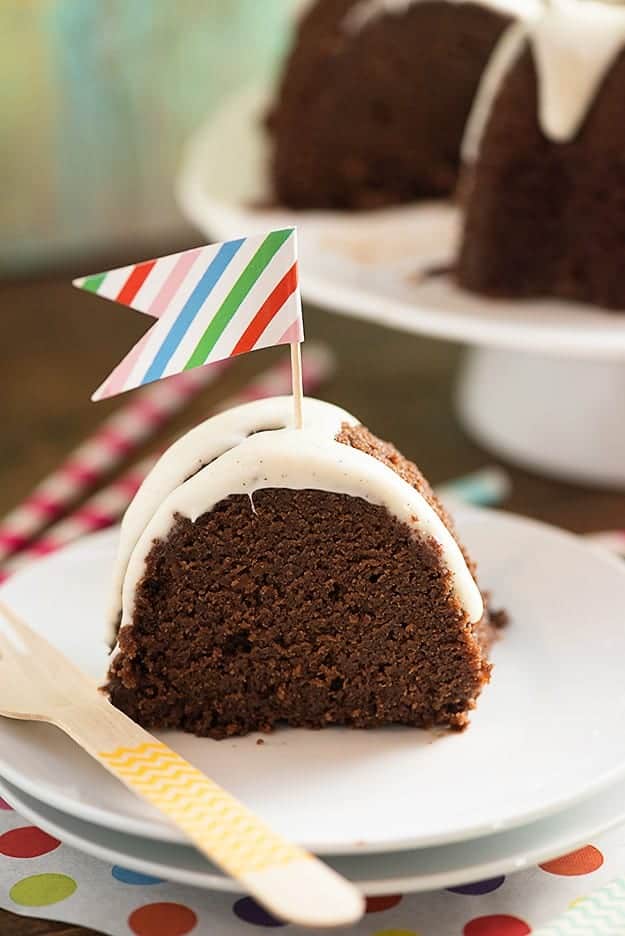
[280, 458]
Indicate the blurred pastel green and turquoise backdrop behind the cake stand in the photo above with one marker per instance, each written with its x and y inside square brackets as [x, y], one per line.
[98, 97]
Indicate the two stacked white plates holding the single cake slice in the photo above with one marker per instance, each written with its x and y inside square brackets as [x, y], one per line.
[540, 770]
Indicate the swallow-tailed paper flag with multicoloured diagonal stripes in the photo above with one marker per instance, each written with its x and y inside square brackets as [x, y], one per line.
[210, 303]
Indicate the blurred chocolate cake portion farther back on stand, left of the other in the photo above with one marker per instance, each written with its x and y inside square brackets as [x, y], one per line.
[374, 97]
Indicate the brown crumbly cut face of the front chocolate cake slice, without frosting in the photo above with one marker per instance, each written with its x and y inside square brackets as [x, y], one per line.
[312, 609]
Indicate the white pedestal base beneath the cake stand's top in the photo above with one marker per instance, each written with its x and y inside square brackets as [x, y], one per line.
[554, 415]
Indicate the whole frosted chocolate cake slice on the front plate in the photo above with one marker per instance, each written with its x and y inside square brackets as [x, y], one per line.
[309, 577]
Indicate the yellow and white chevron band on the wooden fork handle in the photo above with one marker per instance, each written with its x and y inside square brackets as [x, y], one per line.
[212, 818]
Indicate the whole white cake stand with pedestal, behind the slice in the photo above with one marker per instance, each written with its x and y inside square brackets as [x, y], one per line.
[542, 382]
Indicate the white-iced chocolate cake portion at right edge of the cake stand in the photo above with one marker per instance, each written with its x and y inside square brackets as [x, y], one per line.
[545, 175]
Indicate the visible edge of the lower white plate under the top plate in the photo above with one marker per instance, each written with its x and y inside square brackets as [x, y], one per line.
[374, 875]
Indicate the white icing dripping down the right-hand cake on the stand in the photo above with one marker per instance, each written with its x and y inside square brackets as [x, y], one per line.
[574, 45]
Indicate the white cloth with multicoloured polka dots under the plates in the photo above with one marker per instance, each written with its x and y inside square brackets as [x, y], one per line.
[39, 876]
